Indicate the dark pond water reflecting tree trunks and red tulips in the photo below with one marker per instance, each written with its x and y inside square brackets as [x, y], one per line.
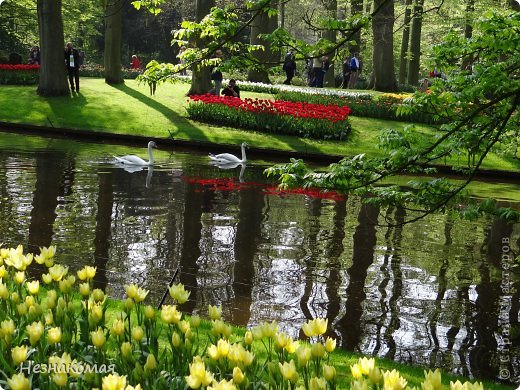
[439, 292]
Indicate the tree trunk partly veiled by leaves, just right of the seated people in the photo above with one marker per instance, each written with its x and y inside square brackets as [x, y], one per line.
[263, 24]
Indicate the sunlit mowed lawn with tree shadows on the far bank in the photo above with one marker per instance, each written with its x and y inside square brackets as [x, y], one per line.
[129, 109]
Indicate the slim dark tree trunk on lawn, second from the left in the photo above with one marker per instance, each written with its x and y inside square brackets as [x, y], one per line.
[113, 26]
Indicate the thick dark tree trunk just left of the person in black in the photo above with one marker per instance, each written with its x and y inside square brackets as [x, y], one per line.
[53, 79]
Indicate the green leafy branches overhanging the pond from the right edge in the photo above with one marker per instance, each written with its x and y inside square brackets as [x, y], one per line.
[478, 111]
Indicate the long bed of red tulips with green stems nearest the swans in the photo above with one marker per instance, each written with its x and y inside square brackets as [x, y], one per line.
[308, 120]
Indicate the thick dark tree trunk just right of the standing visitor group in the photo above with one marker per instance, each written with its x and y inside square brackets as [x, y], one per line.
[383, 75]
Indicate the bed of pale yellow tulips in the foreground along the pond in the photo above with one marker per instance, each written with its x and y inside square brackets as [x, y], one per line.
[55, 333]
